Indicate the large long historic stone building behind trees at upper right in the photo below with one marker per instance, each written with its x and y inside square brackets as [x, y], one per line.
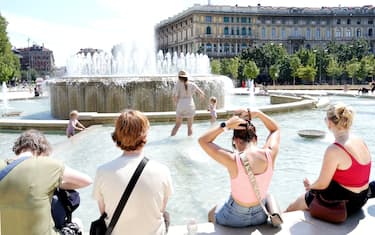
[224, 31]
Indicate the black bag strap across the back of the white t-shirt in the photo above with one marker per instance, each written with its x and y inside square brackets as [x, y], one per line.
[125, 195]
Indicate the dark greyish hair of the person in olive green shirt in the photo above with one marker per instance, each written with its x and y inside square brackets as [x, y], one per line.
[34, 141]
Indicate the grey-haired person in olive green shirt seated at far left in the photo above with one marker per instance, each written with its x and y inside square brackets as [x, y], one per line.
[26, 191]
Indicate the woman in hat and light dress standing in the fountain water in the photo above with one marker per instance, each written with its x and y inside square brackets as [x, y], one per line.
[183, 98]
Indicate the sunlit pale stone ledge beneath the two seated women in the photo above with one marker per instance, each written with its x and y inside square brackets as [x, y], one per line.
[296, 223]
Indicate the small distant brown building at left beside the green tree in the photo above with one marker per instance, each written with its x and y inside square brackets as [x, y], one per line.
[38, 58]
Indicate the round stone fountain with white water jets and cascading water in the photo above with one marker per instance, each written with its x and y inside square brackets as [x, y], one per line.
[103, 83]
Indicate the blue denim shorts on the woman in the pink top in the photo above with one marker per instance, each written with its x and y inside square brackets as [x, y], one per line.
[233, 215]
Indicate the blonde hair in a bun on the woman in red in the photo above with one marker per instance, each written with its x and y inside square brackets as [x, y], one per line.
[341, 115]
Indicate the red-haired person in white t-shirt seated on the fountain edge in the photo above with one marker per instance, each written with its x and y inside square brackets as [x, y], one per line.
[145, 212]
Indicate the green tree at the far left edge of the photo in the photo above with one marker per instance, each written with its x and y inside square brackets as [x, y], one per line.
[9, 63]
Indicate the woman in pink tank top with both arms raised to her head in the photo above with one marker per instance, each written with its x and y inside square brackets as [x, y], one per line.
[243, 209]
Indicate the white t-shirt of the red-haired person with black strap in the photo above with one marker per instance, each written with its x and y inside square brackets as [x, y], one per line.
[142, 214]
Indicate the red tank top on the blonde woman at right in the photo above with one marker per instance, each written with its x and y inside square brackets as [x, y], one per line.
[356, 175]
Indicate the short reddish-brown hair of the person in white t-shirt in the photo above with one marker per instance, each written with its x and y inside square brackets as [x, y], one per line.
[131, 130]
